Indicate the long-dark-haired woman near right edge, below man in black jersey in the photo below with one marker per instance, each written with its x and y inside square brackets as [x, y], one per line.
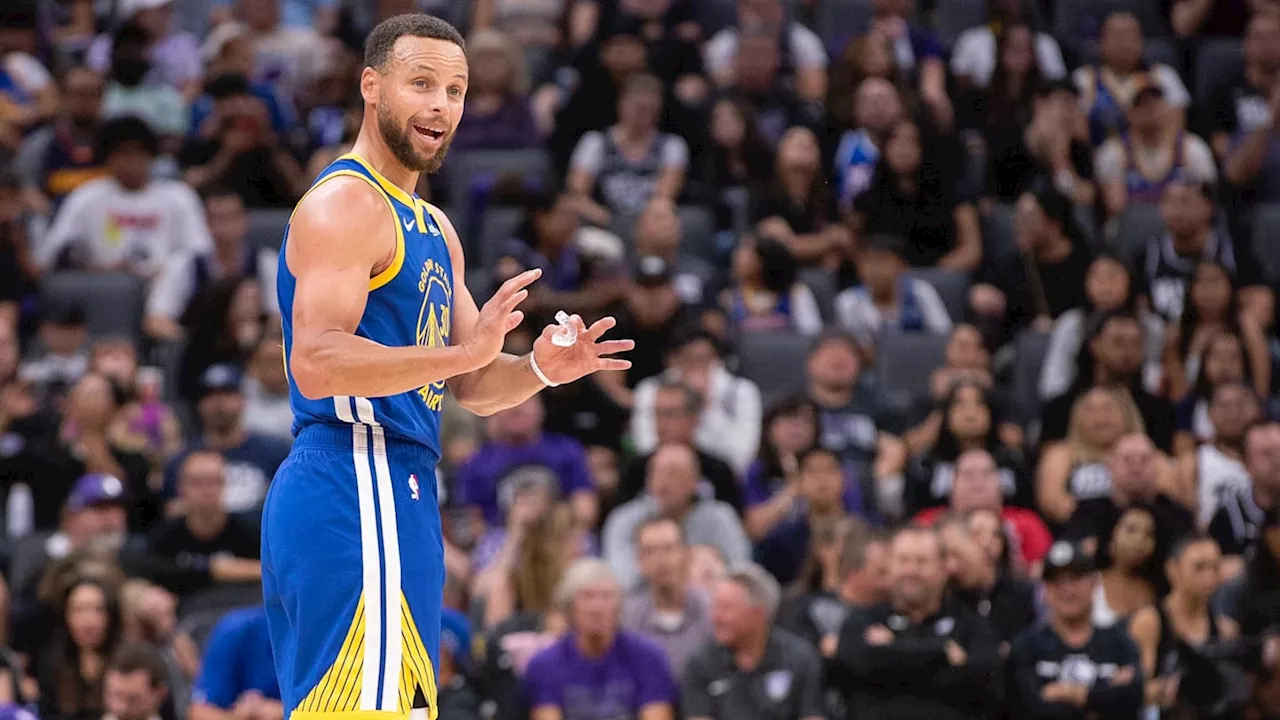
[1213, 313]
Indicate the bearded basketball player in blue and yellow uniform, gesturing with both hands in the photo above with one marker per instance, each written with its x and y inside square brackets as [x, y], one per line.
[378, 327]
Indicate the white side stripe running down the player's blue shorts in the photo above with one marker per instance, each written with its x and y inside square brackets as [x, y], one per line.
[371, 564]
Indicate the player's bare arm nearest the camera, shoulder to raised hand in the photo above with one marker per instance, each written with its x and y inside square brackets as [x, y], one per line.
[341, 235]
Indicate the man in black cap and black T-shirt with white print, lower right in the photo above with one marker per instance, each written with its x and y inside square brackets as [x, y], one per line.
[1068, 668]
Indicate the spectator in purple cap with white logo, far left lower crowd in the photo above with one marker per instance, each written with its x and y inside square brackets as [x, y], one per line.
[95, 518]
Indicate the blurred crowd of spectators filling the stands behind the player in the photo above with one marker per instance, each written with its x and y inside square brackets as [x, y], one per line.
[952, 398]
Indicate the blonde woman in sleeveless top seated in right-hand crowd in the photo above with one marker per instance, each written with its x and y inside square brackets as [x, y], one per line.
[1076, 470]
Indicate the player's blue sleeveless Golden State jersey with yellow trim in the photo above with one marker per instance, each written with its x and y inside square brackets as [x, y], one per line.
[410, 303]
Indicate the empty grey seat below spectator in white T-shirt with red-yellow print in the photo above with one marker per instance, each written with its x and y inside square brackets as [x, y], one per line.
[113, 303]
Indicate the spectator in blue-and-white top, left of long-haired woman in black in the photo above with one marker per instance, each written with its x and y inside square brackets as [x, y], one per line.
[877, 108]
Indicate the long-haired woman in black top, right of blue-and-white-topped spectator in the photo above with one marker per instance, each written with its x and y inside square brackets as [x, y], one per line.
[918, 200]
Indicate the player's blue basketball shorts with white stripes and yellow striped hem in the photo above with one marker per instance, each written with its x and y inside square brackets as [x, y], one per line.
[354, 576]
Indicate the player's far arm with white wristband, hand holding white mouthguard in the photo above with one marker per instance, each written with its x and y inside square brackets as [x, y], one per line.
[510, 380]
